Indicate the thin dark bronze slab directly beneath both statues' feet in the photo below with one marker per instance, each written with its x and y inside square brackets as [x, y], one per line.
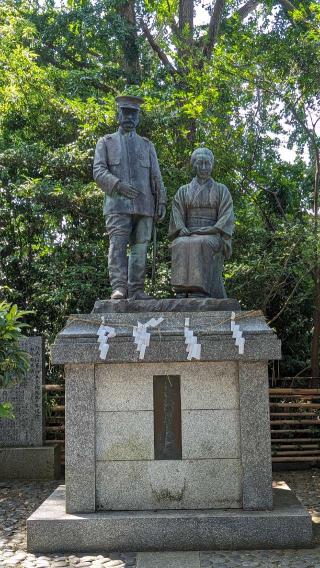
[166, 305]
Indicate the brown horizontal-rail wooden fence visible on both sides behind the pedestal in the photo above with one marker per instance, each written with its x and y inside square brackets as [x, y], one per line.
[294, 416]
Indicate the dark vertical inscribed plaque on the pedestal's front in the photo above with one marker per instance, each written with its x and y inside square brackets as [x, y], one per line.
[167, 417]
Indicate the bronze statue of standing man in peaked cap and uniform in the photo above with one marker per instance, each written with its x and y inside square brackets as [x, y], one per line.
[126, 168]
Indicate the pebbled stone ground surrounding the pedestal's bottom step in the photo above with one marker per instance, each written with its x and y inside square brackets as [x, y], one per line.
[19, 499]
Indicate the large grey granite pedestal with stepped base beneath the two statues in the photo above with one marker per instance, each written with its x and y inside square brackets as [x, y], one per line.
[165, 453]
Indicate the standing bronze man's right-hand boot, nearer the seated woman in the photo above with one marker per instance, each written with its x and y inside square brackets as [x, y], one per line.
[137, 272]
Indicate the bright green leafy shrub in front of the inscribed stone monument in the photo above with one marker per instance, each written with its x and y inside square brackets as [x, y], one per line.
[14, 362]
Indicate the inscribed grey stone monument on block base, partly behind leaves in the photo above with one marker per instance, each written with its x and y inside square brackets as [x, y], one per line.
[22, 453]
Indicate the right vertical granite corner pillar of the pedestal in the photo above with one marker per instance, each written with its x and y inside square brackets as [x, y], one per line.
[255, 436]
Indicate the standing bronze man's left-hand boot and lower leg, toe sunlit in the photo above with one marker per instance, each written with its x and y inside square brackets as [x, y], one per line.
[118, 267]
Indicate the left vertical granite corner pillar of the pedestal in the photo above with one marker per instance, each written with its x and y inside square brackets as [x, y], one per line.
[80, 439]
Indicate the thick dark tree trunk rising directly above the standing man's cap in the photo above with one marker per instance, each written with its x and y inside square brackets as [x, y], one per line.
[130, 43]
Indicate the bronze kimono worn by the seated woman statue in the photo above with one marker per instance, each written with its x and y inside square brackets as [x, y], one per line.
[197, 260]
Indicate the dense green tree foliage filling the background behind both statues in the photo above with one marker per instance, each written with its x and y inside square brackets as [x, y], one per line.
[61, 66]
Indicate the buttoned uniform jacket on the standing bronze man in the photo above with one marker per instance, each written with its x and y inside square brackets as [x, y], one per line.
[129, 158]
